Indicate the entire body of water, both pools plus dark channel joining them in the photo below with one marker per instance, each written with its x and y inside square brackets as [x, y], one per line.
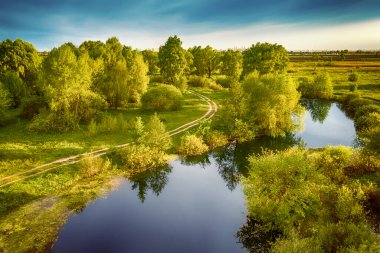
[195, 205]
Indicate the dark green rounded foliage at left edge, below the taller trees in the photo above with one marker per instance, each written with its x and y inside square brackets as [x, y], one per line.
[15, 86]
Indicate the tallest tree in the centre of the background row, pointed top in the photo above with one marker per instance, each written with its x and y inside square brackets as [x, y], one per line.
[172, 60]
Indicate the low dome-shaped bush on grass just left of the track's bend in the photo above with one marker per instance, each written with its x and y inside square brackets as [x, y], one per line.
[162, 97]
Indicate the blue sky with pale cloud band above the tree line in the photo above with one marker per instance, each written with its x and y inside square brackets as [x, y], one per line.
[295, 24]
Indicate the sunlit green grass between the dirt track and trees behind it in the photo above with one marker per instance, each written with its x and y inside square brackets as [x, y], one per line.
[21, 149]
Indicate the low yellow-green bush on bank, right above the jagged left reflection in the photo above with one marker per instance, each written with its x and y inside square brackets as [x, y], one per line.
[137, 158]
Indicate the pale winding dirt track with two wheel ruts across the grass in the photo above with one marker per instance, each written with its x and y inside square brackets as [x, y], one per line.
[5, 181]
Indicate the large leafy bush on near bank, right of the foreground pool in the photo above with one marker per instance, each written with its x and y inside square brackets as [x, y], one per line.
[280, 190]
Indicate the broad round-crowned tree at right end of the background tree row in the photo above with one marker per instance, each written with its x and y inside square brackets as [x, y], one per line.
[265, 58]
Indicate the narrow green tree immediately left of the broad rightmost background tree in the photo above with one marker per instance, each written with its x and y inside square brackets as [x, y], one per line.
[232, 64]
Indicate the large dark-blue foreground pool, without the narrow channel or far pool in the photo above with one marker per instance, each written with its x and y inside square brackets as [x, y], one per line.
[184, 208]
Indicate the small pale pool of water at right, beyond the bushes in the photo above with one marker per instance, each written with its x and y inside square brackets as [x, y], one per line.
[325, 124]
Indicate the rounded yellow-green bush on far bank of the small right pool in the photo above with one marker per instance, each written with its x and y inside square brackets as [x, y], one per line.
[321, 87]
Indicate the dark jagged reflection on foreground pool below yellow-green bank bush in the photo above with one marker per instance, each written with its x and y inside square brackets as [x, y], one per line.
[154, 180]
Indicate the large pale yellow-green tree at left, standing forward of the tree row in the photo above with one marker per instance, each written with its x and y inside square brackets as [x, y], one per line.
[66, 80]
